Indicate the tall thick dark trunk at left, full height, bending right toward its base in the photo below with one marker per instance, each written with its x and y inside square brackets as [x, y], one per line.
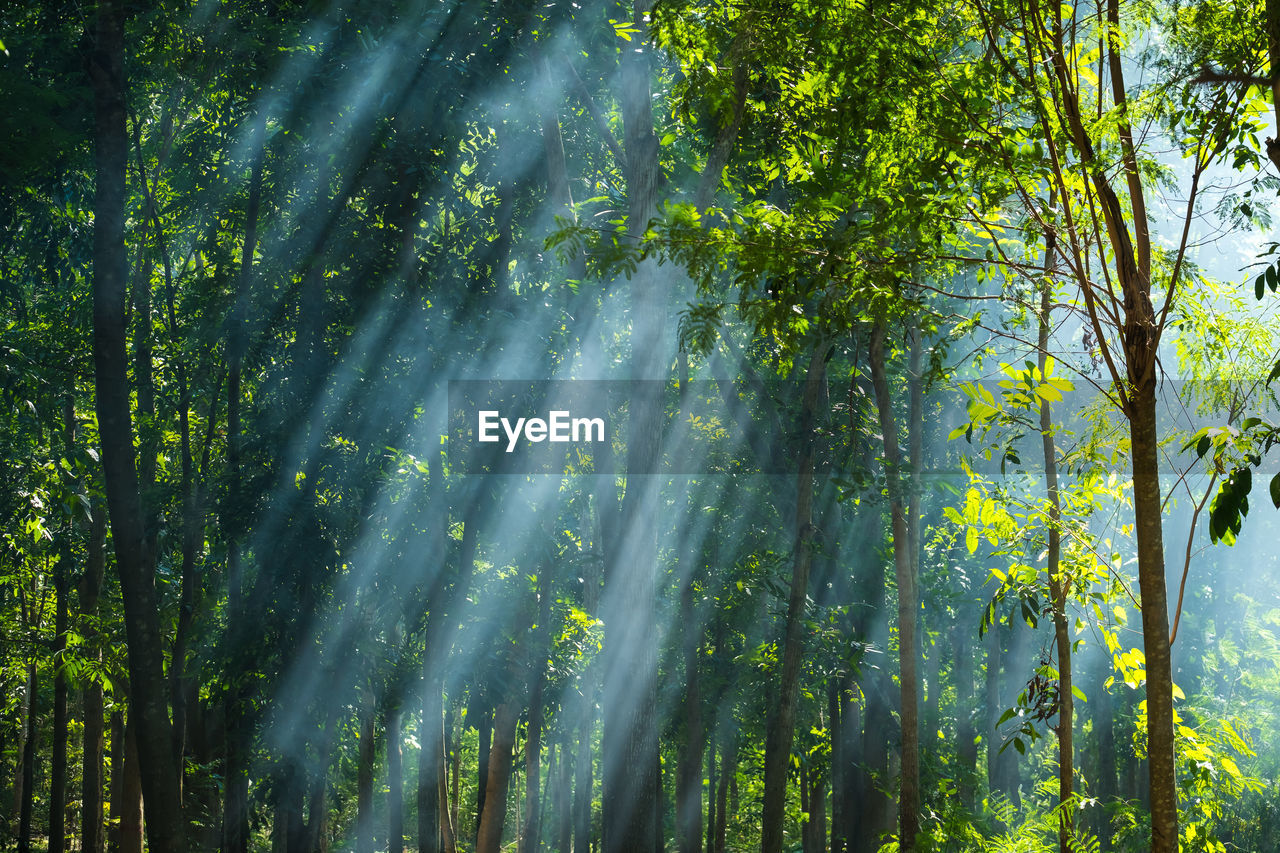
[148, 695]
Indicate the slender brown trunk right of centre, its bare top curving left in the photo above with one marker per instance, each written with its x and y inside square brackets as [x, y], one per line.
[909, 799]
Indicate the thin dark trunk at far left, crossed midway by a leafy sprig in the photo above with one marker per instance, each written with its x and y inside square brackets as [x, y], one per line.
[92, 697]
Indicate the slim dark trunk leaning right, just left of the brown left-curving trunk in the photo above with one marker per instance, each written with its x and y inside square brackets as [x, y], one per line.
[780, 728]
